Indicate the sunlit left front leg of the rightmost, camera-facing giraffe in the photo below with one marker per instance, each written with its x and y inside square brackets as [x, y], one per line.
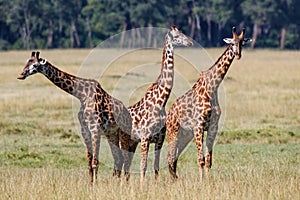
[198, 132]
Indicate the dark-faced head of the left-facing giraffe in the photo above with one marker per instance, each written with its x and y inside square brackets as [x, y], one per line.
[33, 65]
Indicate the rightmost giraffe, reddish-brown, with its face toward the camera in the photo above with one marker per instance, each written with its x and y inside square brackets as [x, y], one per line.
[198, 110]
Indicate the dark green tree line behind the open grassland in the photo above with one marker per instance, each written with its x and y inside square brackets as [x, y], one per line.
[27, 24]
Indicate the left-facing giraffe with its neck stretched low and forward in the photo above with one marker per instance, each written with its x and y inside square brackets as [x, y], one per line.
[99, 113]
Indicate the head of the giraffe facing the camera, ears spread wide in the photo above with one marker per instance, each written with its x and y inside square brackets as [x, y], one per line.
[237, 42]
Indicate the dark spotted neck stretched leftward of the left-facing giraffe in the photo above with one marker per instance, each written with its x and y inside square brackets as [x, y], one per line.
[67, 82]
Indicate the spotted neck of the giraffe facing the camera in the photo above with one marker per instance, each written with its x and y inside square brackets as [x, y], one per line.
[215, 75]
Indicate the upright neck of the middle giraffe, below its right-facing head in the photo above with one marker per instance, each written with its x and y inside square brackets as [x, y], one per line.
[167, 70]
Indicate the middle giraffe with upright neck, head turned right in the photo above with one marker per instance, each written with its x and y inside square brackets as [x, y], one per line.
[148, 114]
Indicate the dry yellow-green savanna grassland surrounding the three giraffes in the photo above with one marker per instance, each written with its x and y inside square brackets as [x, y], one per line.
[257, 151]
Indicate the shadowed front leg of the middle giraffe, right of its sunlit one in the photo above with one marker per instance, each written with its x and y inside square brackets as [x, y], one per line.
[157, 150]
